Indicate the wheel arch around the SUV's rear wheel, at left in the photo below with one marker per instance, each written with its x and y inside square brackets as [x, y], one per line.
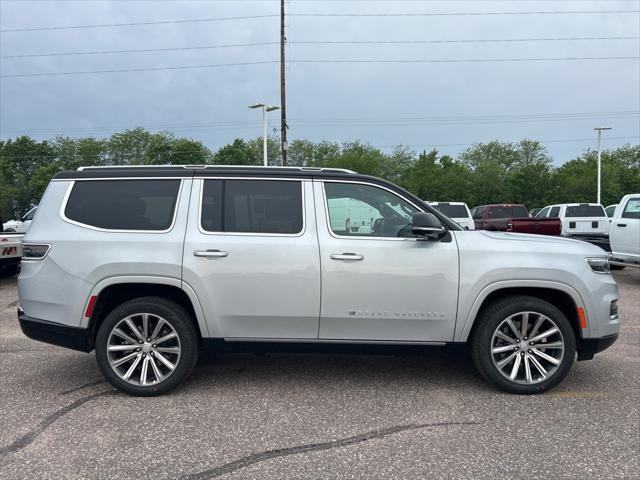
[114, 291]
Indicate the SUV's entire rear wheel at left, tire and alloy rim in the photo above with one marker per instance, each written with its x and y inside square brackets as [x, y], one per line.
[146, 346]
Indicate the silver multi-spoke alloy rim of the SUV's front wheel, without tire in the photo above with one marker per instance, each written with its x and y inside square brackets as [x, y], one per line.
[527, 347]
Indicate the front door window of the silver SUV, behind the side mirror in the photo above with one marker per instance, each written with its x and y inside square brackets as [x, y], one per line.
[365, 211]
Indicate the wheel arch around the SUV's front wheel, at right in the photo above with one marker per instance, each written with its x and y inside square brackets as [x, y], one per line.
[562, 296]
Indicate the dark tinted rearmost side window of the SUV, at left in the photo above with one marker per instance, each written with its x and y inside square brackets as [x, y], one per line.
[124, 204]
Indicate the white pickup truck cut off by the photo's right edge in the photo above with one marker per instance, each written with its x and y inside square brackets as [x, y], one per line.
[624, 236]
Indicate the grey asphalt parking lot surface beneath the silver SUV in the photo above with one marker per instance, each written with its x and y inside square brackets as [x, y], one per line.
[318, 416]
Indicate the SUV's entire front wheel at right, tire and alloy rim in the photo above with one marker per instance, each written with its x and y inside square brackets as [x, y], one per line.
[523, 345]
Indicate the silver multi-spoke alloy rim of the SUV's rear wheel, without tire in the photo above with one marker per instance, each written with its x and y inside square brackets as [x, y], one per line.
[143, 349]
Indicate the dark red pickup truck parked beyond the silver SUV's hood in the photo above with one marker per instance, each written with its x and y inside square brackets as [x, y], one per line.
[506, 217]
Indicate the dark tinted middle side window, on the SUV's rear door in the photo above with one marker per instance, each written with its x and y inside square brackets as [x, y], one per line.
[252, 206]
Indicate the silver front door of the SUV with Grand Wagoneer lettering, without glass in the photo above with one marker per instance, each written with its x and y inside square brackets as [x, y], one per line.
[385, 288]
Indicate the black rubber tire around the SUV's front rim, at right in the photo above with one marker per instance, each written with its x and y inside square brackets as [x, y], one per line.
[488, 323]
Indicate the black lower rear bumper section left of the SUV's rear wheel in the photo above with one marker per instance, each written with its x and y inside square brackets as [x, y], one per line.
[55, 333]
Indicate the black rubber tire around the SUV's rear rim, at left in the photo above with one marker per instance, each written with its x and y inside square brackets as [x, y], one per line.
[176, 317]
